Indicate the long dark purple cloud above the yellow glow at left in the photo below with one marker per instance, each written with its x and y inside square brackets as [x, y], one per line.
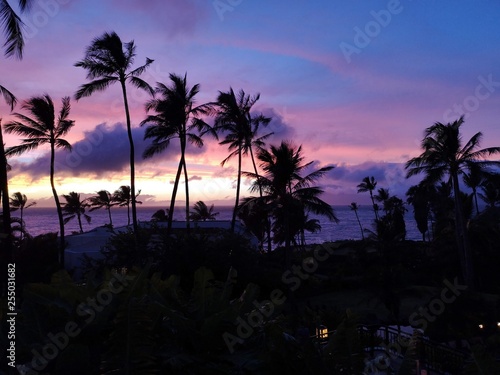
[105, 149]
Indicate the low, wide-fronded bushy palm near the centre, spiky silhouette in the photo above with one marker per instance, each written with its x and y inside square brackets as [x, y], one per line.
[288, 194]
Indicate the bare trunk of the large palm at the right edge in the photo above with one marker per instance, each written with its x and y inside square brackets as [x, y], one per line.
[462, 237]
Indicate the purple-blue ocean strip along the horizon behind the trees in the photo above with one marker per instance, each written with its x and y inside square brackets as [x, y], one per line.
[40, 220]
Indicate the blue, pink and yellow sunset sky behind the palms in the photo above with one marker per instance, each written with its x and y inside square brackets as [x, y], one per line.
[354, 82]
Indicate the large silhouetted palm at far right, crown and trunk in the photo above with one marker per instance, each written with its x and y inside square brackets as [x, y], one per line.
[444, 155]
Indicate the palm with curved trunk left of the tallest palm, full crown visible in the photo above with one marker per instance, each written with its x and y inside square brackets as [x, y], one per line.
[43, 128]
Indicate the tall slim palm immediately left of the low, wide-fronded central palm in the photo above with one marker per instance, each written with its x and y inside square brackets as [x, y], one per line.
[241, 129]
